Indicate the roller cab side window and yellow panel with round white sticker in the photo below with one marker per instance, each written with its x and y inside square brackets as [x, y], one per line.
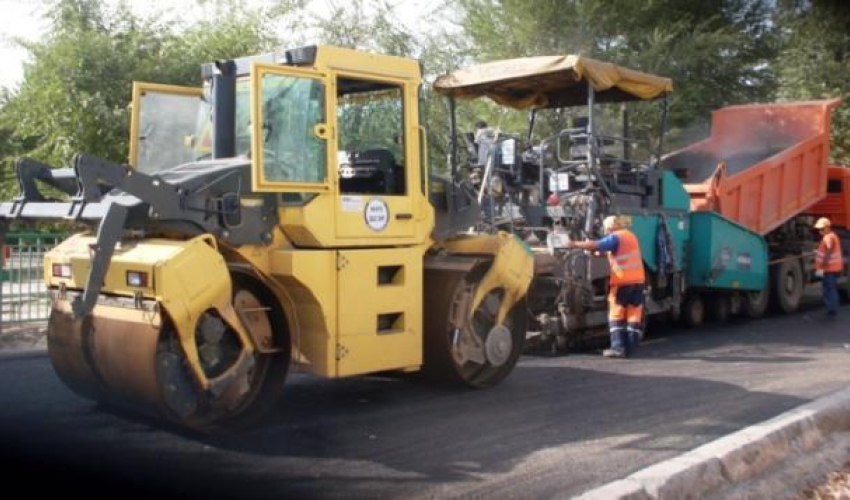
[376, 158]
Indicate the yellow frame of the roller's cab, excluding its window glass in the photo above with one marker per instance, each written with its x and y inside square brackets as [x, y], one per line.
[336, 218]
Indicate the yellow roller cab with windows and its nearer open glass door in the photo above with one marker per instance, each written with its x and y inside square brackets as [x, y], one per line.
[342, 149]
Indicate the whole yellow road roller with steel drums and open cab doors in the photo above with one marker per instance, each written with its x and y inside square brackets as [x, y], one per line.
[279, 213]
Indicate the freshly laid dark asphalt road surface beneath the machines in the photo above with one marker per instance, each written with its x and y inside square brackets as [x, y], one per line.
[371, 436]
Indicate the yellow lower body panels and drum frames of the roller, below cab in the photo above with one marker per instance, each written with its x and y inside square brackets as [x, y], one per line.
[355, 311]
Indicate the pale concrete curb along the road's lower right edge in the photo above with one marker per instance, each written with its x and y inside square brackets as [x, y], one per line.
[734, 459]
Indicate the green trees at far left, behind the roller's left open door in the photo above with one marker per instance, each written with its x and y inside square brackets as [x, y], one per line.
[76, 91]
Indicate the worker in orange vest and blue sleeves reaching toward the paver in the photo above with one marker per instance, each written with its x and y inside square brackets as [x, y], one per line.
[626, 284]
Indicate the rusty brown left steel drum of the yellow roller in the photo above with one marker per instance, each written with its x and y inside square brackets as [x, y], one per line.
[131, 358]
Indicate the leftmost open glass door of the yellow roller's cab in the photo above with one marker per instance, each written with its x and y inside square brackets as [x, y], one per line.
[167, 126]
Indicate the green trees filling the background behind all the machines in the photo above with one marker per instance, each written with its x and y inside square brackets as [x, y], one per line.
[75, 92]
